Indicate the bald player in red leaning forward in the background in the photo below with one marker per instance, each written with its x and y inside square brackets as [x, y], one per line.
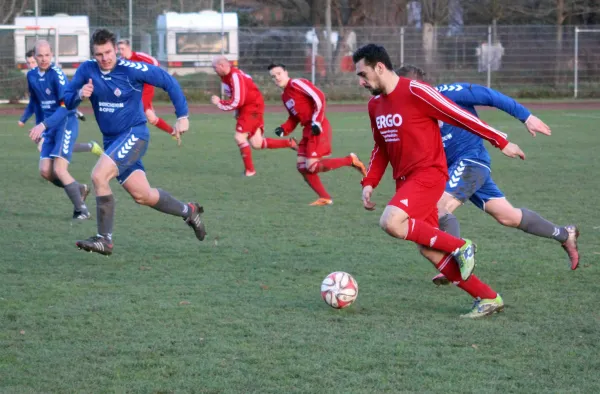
[246, 99]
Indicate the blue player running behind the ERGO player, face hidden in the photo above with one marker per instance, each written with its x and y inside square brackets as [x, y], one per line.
[470, 173]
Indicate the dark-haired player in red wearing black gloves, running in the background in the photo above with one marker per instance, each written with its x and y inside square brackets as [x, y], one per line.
[306, 105]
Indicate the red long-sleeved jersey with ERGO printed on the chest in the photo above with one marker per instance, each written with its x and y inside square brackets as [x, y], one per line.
[407, 134]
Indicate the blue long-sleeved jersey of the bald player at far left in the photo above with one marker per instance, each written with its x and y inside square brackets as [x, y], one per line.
[46, 89]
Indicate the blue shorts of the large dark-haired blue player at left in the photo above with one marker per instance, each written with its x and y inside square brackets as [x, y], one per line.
[126, 151]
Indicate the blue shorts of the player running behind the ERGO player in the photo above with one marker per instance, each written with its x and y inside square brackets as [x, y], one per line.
[472, 181]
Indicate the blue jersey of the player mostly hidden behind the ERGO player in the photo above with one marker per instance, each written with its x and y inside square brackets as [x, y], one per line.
[460, 144]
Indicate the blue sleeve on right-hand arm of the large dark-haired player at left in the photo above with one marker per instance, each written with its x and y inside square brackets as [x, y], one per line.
[156, 76]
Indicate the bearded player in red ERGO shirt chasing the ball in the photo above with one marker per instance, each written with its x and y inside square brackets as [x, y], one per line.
[404, 120]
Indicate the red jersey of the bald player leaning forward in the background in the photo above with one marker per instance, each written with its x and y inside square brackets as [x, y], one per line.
[242, 91]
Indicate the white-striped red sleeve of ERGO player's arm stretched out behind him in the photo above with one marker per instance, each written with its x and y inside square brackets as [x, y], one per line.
[439, 107]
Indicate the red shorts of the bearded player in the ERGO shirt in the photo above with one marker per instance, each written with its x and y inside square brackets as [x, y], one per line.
[418, 194]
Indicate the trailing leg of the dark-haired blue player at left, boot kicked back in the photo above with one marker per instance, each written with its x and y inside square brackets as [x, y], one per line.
[137, 185]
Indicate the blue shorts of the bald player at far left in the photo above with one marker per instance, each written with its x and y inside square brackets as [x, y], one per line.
[60, 140]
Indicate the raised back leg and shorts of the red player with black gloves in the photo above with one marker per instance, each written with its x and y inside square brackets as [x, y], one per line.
[320, 147]
